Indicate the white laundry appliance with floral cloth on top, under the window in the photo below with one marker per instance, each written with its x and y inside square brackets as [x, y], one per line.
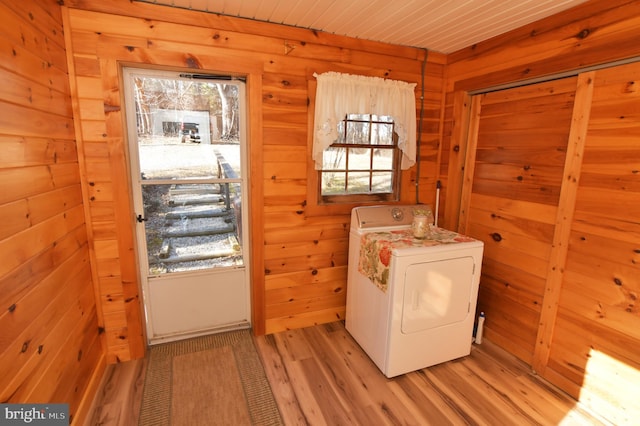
[410, 302]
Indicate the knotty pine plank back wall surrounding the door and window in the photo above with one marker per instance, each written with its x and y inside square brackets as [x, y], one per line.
[299, 249]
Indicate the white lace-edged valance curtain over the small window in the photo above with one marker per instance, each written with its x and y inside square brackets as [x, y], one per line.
[340, 94]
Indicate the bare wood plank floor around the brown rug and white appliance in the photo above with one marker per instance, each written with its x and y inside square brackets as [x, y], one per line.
[320, 376]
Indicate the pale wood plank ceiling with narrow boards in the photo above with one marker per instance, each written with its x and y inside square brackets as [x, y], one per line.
[440, 25]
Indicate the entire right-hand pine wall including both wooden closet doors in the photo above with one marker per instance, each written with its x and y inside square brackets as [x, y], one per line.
[581, 325]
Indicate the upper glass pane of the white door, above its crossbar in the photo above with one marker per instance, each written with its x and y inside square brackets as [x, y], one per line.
[185, 127]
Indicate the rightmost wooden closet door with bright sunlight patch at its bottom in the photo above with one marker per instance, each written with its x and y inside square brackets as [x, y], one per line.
[595, 347]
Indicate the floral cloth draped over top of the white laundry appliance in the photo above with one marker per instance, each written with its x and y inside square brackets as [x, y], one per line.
[376, 248]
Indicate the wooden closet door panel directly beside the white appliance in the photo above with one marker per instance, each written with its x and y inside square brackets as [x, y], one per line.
[514, 172]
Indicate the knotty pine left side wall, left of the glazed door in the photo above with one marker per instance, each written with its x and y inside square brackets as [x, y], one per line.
[50, 348]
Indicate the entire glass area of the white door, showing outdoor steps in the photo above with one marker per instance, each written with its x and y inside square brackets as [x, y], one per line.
[188, 147]
